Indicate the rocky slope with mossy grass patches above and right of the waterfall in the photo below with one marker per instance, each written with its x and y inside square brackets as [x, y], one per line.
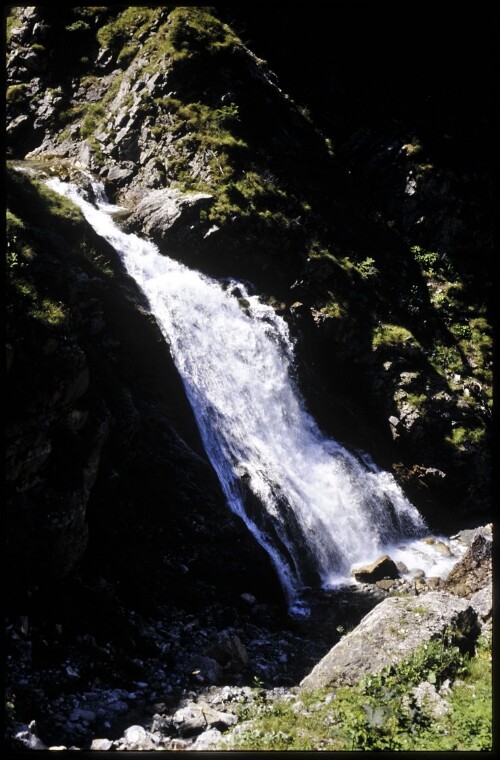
[181, 100]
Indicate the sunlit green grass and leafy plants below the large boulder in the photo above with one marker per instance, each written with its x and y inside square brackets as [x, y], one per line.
[382, 712]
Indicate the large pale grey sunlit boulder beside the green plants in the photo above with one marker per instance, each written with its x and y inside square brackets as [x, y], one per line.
[390, 633]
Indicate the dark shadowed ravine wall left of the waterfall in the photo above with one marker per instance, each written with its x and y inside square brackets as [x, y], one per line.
[98, 419]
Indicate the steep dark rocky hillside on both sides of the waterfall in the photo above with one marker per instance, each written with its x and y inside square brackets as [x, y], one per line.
[363, 220]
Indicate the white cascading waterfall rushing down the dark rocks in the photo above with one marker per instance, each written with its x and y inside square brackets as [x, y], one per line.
[315, 507]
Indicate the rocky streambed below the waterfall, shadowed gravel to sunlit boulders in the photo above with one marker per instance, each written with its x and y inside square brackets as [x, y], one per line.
[181, 680]
